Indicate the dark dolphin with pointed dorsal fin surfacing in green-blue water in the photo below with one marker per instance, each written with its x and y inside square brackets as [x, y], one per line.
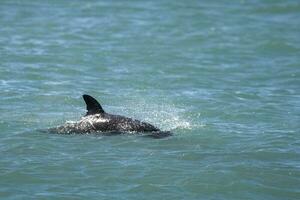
[97, 120]
